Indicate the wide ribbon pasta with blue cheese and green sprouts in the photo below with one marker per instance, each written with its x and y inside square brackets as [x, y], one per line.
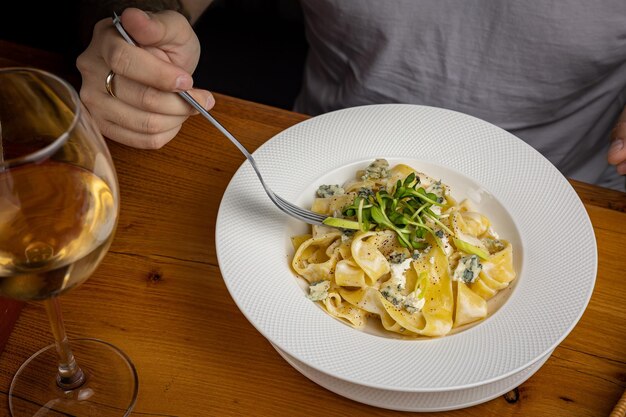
[399, 249]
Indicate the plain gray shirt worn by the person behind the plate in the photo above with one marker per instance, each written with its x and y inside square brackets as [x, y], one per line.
[552, 72]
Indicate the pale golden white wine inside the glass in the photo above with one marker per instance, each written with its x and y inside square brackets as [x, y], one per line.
[57, 221]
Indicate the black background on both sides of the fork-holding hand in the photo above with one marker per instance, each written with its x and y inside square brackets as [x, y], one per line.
[251, 49]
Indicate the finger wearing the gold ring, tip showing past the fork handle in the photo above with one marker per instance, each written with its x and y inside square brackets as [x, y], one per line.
[152, 100]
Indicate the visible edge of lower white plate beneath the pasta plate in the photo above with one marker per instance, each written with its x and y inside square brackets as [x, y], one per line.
[416, 401]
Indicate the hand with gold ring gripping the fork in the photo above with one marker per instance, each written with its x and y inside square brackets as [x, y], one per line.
[145, 113]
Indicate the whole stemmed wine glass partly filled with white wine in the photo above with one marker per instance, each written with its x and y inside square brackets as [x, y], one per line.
[59, 205]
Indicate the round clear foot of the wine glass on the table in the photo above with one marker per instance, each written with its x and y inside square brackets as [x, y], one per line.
[110, 387]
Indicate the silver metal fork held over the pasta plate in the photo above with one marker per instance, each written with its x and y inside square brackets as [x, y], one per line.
[287, 207]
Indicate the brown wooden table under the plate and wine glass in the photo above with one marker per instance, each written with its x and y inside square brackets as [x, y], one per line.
[160, 297]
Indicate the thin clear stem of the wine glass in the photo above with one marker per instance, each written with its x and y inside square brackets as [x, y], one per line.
[70, 375]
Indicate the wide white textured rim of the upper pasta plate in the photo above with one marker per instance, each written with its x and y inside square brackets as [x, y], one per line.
[550, 296]
